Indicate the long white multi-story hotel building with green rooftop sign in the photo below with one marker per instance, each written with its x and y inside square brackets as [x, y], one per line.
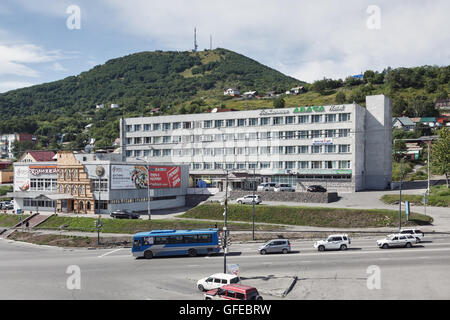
[343, 147]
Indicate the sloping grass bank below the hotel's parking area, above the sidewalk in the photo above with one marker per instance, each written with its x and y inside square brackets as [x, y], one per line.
[308, 216]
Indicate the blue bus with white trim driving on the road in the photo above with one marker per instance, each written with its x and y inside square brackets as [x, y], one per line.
[158, 243]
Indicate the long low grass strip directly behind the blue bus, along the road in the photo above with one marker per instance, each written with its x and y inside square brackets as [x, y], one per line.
[128, 226]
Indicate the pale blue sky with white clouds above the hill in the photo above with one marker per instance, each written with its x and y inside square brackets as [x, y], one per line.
[48, 40]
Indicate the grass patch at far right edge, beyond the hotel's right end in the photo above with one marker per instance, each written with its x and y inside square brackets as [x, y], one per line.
[439, 197]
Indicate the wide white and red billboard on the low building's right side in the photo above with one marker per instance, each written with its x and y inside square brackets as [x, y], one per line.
[136, 177]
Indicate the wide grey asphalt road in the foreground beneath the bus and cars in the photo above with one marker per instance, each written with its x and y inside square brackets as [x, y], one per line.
[40, 272]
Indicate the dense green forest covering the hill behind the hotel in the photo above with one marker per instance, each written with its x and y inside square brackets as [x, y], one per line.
[192, 82]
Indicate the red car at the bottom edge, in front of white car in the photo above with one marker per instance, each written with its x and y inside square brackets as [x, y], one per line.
[233, 292]
